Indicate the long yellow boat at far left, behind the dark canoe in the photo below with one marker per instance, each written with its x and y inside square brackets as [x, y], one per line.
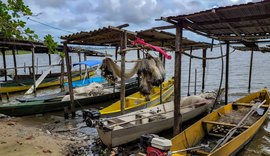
[25, 85]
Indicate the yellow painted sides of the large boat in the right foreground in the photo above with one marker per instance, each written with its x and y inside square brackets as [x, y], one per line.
[195, 133]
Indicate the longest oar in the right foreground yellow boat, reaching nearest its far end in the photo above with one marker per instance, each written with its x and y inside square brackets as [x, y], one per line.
[233, 130]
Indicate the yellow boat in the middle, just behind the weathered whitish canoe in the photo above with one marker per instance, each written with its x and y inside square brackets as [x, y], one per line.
[137, 101]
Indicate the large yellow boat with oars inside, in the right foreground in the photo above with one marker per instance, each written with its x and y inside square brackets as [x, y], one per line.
[222, 128]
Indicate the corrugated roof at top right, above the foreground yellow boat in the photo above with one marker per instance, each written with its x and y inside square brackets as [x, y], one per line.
[249, 21]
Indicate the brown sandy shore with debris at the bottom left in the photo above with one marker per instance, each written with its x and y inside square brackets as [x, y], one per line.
[43, 135]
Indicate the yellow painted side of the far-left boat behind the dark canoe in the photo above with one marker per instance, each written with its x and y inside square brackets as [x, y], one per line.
[42, 85]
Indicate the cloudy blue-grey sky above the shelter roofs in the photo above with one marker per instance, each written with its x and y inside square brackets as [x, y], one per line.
[85, 15]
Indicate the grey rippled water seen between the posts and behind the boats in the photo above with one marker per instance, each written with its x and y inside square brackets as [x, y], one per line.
[238, 80]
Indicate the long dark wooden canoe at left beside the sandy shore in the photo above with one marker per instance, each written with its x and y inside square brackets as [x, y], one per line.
[49, 105]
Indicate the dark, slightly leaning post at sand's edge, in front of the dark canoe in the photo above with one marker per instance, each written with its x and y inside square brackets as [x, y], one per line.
[68, 65]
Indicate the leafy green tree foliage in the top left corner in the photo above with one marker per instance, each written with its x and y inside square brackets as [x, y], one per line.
[11, 23]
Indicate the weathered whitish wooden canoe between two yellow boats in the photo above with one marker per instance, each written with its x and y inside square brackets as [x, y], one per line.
[129, 127]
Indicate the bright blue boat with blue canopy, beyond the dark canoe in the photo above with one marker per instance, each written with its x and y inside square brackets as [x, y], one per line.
[85, 82]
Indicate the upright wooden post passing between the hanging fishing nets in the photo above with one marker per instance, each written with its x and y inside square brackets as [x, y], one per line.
[123, 46]
